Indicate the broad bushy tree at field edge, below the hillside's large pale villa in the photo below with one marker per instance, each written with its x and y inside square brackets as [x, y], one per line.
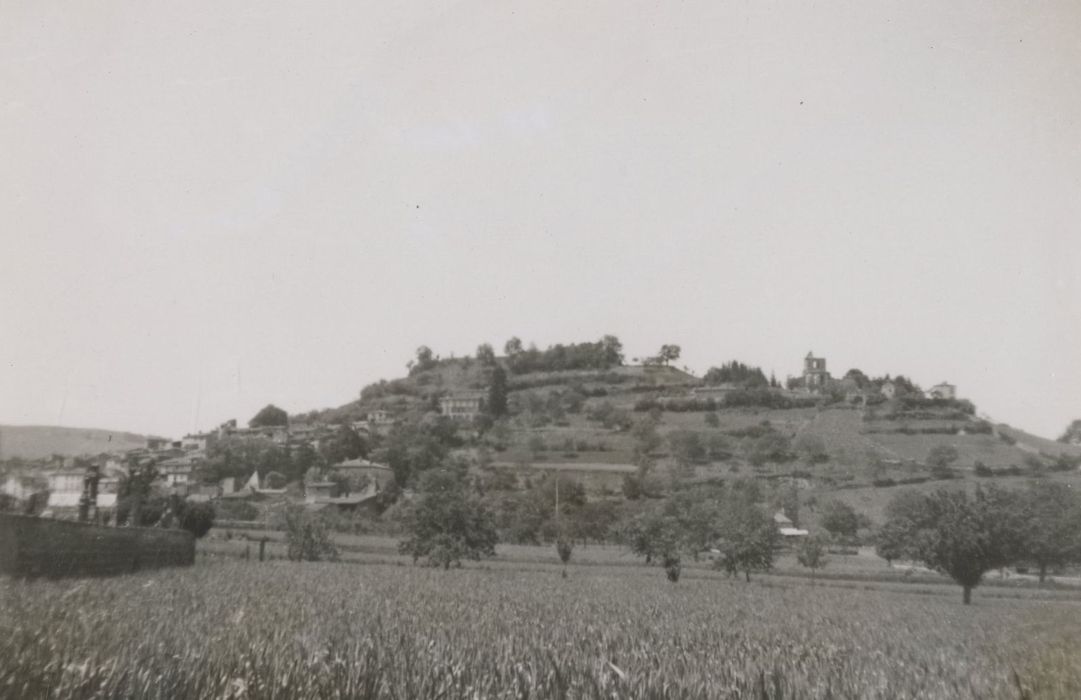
[447, 524]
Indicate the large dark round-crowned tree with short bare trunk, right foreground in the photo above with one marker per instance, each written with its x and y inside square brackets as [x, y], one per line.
[960, 535]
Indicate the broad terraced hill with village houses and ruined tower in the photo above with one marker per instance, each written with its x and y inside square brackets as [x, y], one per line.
[611, 433]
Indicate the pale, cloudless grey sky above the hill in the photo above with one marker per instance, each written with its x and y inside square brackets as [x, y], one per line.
[208, 207]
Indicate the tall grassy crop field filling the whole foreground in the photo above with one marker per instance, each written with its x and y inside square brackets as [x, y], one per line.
[281, 630]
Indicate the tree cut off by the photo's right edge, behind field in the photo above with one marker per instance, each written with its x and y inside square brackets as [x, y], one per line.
[1051, 517]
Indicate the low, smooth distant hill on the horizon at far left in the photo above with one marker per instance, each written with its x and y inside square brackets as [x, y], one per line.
[36, 442]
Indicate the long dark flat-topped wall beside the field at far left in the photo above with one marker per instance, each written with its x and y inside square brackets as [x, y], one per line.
[43, 547]
